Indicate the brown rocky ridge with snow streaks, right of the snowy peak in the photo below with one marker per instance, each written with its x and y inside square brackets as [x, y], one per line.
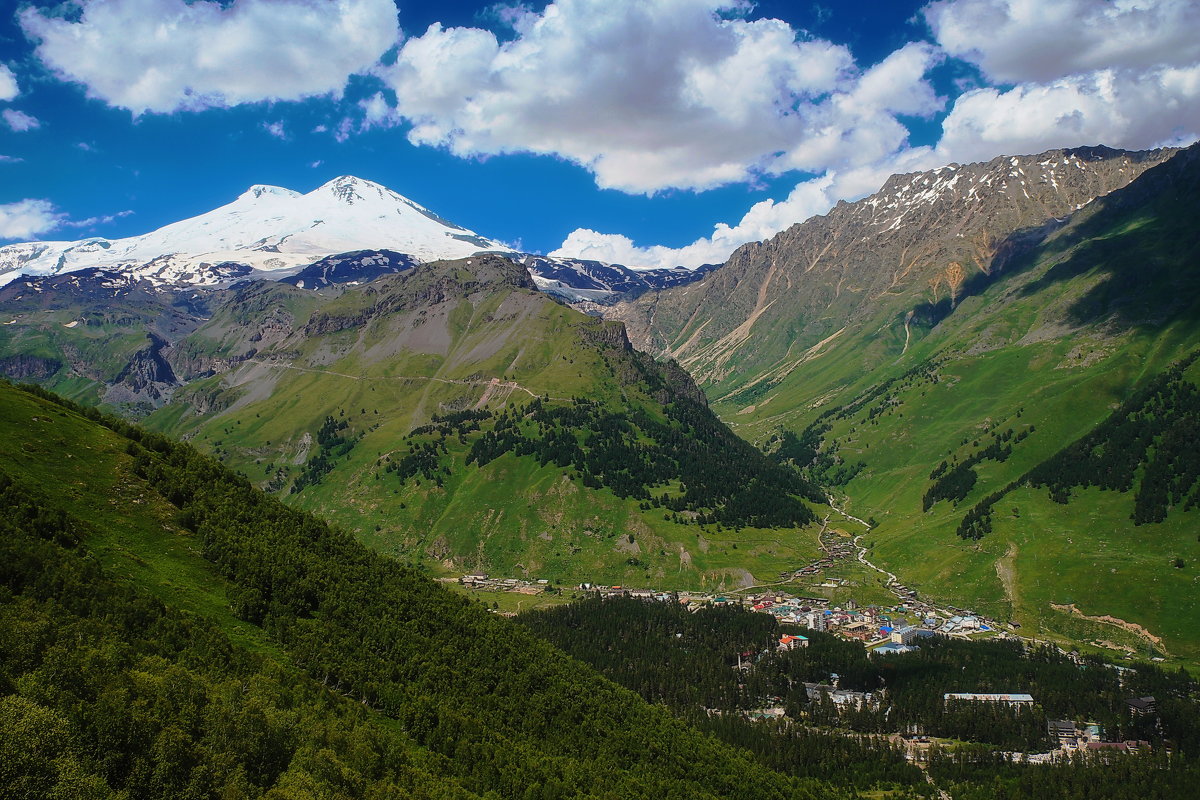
[923, 239]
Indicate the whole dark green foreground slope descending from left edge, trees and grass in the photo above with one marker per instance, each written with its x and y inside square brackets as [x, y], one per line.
[171, 631]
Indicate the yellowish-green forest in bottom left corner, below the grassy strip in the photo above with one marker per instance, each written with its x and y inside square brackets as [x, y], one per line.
[107, 691]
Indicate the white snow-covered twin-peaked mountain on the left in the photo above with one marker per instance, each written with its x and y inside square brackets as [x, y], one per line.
[269, 230]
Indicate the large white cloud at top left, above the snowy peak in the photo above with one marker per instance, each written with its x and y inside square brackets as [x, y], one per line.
[167, 56]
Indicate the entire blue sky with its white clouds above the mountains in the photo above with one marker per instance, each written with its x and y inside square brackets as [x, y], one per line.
[652, 134]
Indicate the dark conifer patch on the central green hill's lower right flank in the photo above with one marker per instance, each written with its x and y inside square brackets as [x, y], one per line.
[689, 464]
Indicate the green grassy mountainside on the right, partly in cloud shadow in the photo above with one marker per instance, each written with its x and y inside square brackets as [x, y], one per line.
[979, 394]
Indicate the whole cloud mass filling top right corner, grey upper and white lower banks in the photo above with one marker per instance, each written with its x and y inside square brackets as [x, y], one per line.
[1121, 74]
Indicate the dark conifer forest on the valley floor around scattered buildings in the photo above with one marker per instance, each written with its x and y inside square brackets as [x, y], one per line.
[647, 646]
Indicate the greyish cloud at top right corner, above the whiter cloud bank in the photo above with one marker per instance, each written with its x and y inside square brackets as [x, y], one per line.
[1019, 41]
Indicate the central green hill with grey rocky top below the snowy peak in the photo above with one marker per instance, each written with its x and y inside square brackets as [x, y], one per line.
[455, 414]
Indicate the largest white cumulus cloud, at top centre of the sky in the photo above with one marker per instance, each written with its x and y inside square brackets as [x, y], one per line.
[682, 94]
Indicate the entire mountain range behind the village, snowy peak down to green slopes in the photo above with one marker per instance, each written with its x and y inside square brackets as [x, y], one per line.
[993, 365]
